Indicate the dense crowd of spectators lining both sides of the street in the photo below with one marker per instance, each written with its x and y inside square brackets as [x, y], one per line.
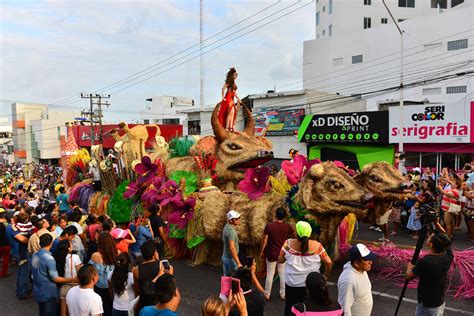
[78, 263]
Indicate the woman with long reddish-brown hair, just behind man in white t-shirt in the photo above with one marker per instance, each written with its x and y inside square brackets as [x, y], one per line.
[104, 261]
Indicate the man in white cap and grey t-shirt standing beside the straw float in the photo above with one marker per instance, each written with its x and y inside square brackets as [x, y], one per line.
[230, 255]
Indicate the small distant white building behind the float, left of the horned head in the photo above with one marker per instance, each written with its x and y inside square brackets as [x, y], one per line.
[166, 110]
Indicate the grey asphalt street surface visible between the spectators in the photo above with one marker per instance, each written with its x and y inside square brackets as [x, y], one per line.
[199, 282]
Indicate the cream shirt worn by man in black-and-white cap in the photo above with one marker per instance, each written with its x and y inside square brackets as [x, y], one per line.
[355, 292]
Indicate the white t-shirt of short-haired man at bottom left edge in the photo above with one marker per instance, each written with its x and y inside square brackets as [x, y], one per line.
[83, 302]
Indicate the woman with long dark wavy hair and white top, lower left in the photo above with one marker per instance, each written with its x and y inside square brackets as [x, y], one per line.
[121, 285]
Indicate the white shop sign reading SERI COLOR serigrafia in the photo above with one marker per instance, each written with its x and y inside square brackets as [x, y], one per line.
[440, 123]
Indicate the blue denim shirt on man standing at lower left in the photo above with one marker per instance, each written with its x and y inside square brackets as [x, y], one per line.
[43, 269]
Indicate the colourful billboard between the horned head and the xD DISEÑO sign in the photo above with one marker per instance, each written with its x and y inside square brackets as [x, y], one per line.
[278, 123]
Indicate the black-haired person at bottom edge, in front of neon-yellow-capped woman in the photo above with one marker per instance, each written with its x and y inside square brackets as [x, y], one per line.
[318, 301]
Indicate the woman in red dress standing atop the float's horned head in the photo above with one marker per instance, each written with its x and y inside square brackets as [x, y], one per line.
[228, 110]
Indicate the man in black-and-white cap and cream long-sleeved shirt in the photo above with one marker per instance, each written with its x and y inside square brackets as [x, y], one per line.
[354, 287]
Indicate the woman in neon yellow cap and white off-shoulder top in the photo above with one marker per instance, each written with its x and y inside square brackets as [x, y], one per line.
[302, 256]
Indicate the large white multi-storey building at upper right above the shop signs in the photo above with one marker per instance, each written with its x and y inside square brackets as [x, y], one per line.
[357, 49]
